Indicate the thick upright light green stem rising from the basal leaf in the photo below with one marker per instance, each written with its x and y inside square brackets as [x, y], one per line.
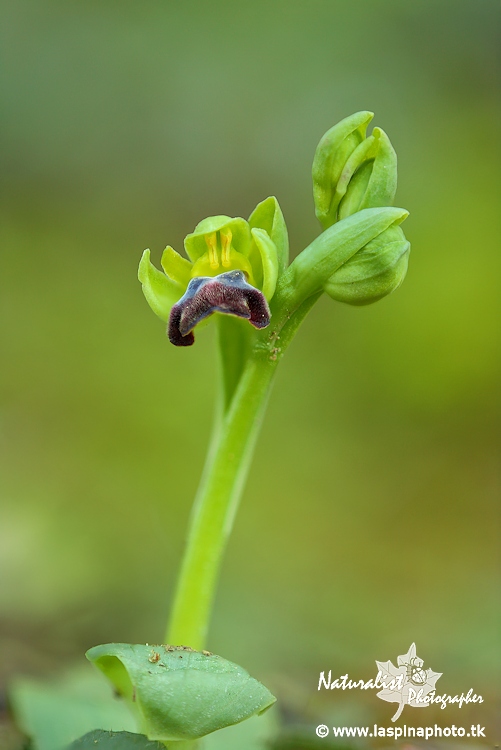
[236, 427]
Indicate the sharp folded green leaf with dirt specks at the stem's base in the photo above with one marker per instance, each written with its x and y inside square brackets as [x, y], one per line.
[179, 693]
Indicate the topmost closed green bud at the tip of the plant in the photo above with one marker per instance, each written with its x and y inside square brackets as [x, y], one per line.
[367, 179]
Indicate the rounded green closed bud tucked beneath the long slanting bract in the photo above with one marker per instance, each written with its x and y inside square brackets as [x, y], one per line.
[373, 272]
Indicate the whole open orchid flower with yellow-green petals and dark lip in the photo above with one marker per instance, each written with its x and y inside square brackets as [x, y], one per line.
[232, 269]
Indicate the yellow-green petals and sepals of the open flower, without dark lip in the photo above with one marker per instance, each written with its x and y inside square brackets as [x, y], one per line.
[258, 247]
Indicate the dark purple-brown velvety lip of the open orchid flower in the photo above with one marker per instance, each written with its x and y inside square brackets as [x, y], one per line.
[226, 293]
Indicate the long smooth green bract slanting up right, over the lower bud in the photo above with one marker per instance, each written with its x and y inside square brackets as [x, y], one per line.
[313, 268]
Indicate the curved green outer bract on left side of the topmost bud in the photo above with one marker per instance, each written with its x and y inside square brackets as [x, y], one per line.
[331, 155]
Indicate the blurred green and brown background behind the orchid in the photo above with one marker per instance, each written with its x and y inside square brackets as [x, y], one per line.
[369, 518]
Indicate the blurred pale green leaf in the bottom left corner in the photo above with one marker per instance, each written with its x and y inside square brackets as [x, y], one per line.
[55, 713]
